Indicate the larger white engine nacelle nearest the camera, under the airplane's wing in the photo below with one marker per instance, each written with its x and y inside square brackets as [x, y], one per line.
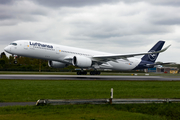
[81, 61]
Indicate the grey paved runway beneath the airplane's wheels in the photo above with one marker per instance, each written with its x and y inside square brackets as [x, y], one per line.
[87, 77]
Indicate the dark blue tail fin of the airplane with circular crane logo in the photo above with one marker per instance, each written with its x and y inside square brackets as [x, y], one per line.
[152, 57]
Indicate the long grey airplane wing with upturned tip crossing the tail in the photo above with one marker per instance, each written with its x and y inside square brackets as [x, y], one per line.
[114, 57]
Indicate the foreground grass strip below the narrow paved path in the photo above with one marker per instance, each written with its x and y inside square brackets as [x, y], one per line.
[93, 112]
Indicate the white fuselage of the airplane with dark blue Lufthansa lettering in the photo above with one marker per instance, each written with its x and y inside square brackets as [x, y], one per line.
[61, 53]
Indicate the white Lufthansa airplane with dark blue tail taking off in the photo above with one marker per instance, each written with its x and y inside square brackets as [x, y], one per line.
[60, 56]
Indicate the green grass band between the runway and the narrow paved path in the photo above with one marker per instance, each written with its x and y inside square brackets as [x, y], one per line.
[32, 90]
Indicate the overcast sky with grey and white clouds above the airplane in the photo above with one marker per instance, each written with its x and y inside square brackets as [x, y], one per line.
[115, 26]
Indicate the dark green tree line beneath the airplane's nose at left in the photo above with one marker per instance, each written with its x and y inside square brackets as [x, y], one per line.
[19, 63]
